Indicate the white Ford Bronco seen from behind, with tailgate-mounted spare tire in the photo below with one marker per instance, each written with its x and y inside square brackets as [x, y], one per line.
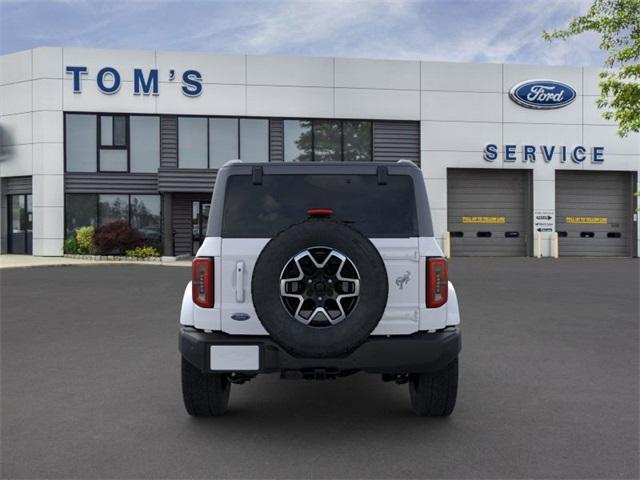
[319, 270]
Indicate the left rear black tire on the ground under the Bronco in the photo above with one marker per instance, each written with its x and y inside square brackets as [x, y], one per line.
[204, 394]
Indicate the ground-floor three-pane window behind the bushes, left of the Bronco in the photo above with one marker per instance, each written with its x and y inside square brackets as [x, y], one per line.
[142, 212]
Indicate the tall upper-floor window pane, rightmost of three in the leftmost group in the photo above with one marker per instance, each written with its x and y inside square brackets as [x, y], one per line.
[145, 143]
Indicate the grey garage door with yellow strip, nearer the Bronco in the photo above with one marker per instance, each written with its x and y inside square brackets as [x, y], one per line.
[488, 212]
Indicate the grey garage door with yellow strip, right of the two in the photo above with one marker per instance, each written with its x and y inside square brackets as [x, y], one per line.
[594, 213]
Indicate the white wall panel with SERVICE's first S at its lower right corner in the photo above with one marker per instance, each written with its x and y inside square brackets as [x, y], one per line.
[459, 136]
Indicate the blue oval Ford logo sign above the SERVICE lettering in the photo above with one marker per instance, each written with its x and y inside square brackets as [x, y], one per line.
[542, 94]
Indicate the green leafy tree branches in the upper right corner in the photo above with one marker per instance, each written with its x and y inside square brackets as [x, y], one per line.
[618, 23]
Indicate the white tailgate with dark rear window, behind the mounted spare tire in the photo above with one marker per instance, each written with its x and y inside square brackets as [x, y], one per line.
[385, 213]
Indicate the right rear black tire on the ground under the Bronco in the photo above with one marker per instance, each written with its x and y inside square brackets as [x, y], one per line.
[434, 394]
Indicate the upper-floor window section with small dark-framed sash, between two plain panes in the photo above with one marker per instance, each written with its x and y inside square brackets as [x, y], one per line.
[113, 143]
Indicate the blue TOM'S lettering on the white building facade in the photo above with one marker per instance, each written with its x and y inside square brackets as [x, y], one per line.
[108, 80]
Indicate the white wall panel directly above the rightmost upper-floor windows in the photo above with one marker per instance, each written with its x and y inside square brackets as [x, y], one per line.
[377, 104]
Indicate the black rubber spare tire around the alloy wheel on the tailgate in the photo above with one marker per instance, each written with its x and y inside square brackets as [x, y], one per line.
[312, 341]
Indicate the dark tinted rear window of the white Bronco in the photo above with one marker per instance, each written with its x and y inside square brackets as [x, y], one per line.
[261, 211]
